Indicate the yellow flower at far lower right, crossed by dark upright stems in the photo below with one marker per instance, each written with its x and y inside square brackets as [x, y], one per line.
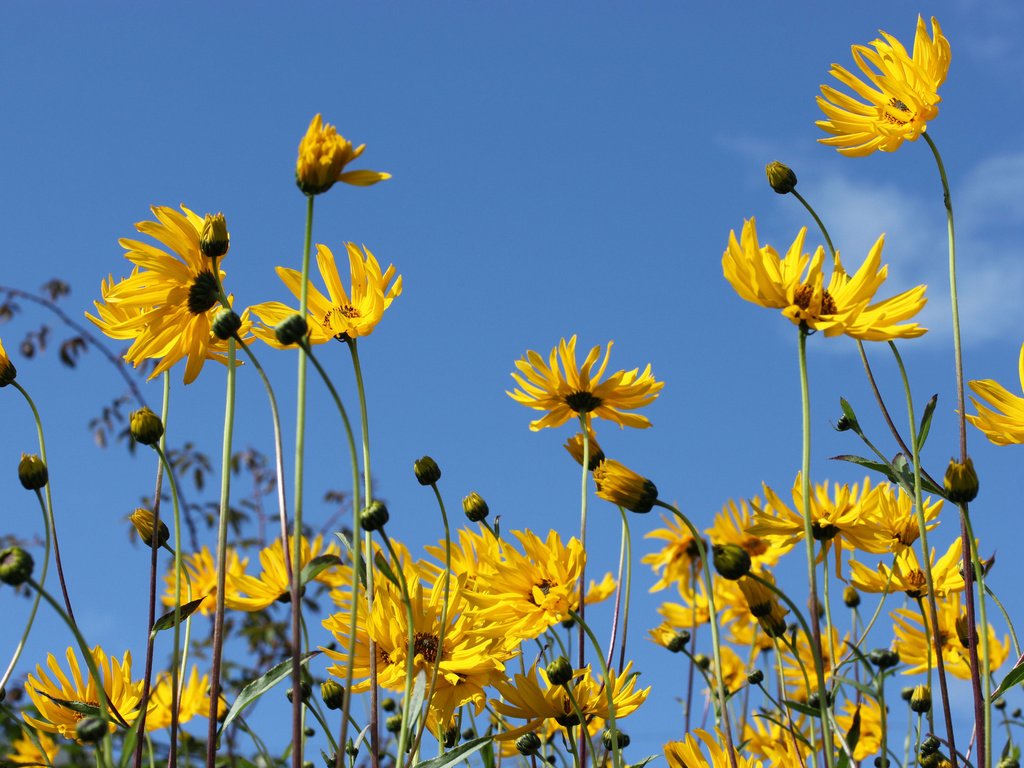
[916, 649]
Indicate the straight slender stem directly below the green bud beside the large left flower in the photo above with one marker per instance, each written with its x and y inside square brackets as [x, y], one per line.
[219, 615]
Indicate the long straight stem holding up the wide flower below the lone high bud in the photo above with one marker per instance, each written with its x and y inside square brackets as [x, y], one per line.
[816, 638]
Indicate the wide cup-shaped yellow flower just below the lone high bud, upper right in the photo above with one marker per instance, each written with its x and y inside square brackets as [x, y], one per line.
[796, 285]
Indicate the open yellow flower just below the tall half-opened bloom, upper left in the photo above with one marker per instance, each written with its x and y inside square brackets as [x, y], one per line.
[340, 315]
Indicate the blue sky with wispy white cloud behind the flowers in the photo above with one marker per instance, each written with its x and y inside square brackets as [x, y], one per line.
[559, 169]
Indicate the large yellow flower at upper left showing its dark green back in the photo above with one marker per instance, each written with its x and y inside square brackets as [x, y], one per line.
[168, 305]
